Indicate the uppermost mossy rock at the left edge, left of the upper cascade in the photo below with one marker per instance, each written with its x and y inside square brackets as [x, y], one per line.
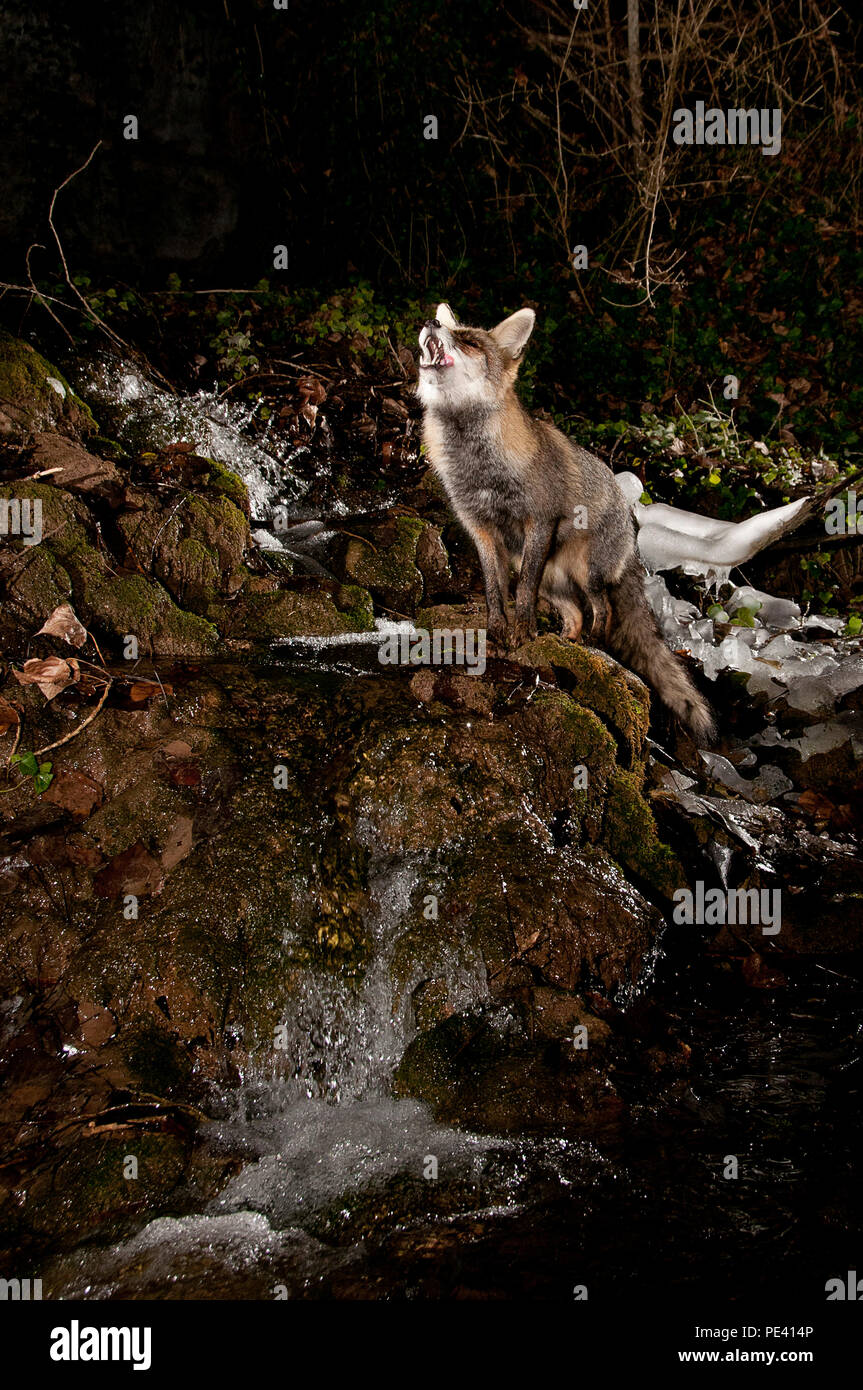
[35, 395]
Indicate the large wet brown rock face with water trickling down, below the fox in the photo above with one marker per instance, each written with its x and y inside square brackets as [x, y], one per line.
[322, 924]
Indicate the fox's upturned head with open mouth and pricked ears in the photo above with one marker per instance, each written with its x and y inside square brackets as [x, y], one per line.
[462, 368]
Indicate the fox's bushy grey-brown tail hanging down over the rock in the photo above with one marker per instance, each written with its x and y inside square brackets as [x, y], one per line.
[636, 639]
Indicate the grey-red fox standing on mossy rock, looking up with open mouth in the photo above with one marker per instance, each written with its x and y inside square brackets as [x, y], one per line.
[534, 501]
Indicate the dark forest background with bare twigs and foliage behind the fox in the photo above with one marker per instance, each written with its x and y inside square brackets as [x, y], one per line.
[305, 127]
